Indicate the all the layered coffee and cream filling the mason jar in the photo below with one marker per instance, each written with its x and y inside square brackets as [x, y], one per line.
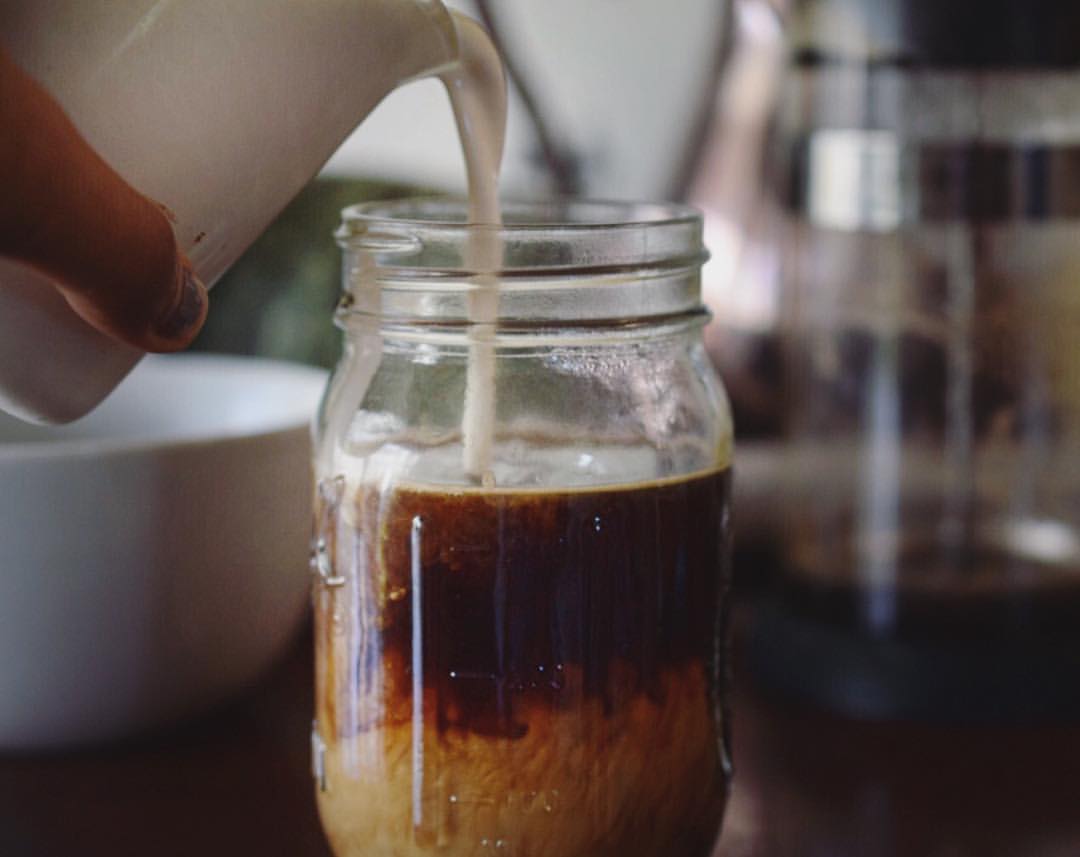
[522, 673]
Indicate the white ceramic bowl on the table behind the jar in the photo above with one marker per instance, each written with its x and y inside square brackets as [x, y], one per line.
[154, 555]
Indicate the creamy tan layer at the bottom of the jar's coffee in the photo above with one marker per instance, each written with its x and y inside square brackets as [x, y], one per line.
[644, 781]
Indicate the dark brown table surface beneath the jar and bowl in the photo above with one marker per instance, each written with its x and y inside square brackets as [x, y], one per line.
[807, 784]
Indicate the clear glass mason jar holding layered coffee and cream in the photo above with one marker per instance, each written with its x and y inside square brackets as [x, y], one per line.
[522, 528]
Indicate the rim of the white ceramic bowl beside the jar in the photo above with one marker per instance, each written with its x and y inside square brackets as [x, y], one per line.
[78, 448]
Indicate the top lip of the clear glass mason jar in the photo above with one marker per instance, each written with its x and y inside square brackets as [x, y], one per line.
[448, 215]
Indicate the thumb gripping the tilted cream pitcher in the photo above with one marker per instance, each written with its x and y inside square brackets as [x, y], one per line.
[65, 212]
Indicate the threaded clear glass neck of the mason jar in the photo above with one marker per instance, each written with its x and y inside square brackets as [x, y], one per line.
[564, 265]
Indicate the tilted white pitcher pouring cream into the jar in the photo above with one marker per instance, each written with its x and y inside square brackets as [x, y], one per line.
[222, 112]
